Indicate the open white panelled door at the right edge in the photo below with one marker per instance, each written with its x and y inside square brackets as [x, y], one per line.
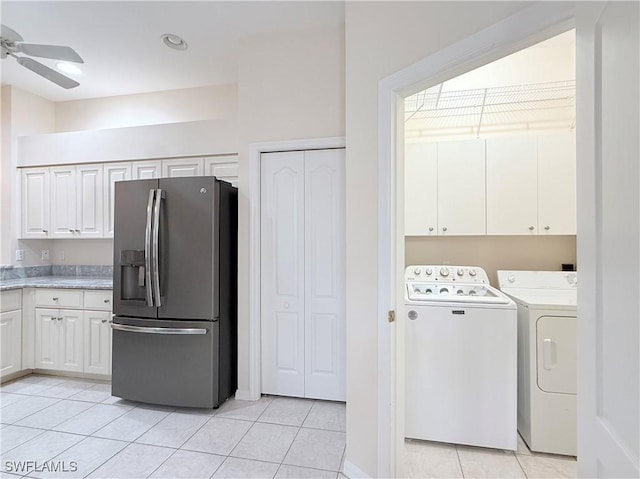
[608, 66]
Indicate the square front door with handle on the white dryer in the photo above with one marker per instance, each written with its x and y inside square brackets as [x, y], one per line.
[556, 354]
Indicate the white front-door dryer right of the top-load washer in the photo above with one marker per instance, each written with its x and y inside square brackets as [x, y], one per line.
[546, 357]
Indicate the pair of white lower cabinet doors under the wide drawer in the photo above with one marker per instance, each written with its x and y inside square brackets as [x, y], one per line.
[59, 341]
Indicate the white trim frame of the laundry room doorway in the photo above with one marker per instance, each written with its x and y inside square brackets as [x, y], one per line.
[520, 30]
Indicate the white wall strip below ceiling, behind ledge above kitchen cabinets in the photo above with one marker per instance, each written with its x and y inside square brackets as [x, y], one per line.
[173, 106]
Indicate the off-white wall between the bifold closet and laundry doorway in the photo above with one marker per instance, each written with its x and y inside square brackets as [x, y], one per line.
[381, 39]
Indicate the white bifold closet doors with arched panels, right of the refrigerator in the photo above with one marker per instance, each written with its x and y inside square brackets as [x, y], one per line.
[302, 274]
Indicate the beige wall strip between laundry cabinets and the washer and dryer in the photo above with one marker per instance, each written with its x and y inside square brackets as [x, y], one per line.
[544, 253]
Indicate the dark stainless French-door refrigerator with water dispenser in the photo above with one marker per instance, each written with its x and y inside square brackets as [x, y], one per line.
[175, 291]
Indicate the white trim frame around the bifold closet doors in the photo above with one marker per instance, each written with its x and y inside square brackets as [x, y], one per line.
[255, 152]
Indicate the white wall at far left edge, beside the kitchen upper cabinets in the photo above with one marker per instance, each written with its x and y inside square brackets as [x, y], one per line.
[22, 114]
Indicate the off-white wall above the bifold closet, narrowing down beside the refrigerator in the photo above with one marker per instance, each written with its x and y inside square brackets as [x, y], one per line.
[290, 86]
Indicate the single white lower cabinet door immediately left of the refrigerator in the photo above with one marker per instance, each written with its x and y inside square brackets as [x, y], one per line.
[97, 342]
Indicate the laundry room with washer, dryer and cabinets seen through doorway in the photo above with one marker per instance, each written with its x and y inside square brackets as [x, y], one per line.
[489, 204]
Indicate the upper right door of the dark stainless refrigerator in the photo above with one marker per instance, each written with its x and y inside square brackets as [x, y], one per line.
[188, 249]
